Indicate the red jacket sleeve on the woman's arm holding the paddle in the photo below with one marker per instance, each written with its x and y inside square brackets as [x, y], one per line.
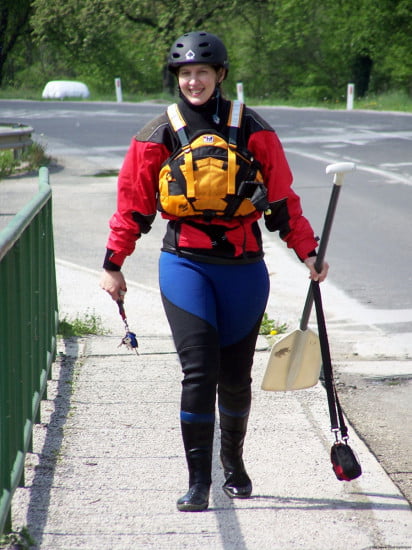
[286, 211]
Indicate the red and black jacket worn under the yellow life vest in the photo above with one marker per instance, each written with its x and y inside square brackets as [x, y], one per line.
[237, 240]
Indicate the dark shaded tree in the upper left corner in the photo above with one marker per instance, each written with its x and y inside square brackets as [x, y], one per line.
[14, 24]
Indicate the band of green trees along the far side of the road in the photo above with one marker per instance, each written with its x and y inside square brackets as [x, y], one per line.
[291, 48]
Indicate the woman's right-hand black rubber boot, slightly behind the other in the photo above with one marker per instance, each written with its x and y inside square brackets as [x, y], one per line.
[233, 430]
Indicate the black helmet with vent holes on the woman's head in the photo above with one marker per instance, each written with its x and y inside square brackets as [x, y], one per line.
[197, 47]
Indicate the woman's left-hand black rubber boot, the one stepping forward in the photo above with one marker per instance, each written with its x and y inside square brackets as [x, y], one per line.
[199, 462]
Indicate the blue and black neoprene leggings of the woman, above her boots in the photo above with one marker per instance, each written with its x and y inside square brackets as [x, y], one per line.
[214, 312]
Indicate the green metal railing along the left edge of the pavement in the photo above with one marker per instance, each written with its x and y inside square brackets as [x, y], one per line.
[28, 327]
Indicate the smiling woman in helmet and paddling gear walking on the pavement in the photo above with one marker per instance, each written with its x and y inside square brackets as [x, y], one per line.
[212, 168]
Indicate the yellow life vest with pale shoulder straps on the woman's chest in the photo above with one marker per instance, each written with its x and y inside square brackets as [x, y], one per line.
[209, 176]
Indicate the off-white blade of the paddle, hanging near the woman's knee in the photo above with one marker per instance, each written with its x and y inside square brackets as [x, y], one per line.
[294, 363]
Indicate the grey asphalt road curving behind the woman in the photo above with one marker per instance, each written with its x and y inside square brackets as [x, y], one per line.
[370, 248]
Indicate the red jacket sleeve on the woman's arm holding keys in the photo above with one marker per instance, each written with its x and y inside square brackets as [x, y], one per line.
[137, 190]
